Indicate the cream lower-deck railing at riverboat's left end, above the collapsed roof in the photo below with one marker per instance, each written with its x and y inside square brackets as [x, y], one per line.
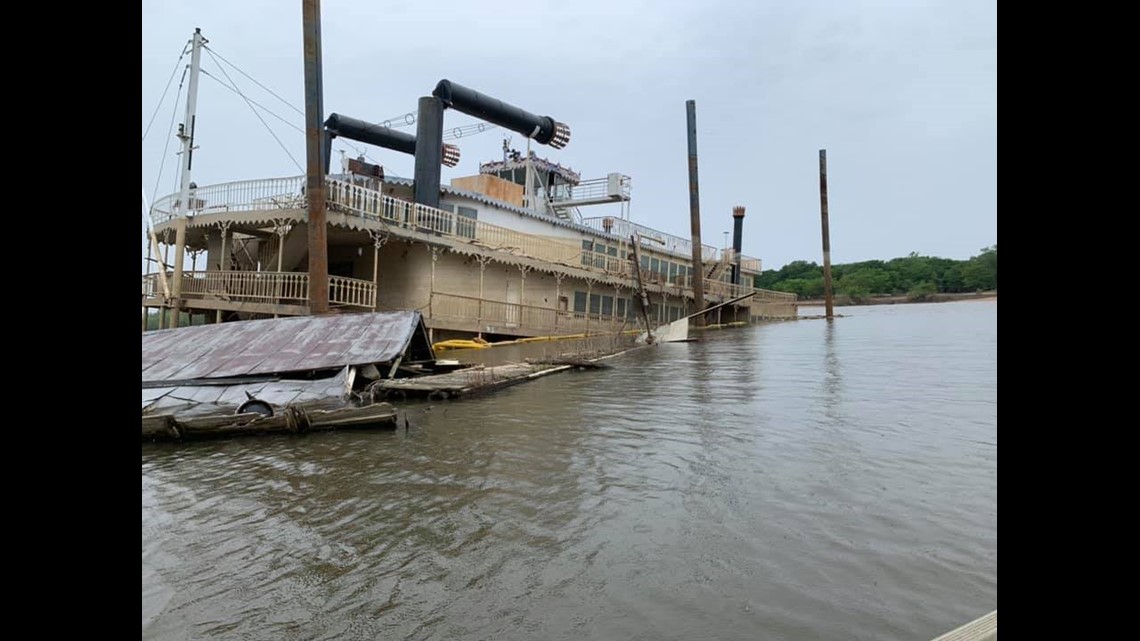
[280, 288]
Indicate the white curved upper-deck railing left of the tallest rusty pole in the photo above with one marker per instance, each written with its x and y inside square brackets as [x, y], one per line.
[243, 196]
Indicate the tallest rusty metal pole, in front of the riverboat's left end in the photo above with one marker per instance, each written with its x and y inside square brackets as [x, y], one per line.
[315, 163]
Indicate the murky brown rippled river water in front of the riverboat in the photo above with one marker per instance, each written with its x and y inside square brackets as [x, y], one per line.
[797, 481]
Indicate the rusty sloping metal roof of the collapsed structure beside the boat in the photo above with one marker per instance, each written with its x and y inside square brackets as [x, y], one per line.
[276, 346]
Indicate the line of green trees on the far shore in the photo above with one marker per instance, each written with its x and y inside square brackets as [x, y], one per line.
[918, 278]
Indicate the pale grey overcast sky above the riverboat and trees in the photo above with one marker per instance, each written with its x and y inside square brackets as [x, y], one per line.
[902, 94]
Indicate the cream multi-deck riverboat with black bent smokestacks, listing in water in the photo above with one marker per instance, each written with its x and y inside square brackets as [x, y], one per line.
[509, 251]
